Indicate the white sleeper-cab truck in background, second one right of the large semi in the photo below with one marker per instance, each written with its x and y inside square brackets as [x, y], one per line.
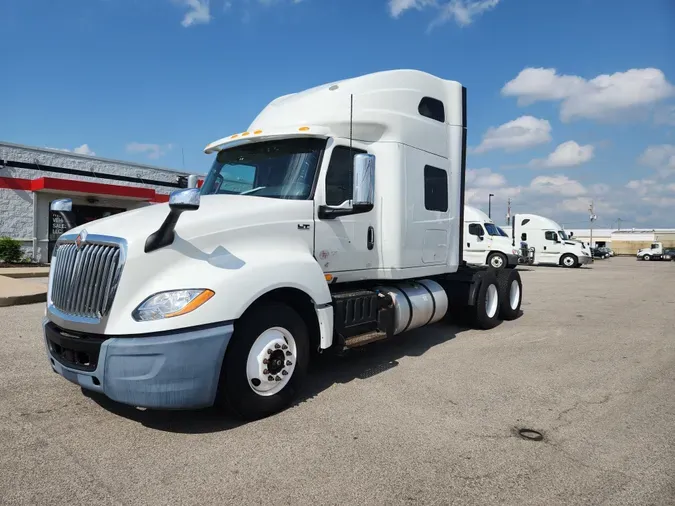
[547, 243]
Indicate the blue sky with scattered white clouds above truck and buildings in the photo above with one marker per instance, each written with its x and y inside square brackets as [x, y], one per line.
[569, 100]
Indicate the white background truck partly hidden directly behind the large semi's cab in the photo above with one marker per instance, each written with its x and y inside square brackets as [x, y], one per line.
[484, 243]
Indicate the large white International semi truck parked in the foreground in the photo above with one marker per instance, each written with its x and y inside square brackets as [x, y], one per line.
[333, 221]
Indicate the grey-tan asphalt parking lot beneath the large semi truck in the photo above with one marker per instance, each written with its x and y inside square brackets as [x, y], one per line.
[428, 418]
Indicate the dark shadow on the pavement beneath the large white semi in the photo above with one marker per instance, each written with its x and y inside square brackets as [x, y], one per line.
[325, 371]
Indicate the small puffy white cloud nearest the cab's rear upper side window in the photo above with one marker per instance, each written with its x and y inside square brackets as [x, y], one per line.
[521, 133]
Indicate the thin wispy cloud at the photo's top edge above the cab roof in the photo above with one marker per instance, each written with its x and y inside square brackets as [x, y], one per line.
[463, 12]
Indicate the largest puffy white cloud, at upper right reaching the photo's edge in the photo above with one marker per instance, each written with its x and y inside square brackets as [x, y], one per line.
[607, 96]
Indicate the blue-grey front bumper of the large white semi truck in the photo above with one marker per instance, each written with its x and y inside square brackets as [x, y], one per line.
[170, 370]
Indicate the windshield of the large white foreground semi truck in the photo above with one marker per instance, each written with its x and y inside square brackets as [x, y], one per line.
[281, 169]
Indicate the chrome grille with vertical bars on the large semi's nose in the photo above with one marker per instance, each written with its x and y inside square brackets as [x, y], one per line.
[85, 279]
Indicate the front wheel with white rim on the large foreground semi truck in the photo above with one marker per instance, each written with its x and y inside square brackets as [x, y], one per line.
[266, 362]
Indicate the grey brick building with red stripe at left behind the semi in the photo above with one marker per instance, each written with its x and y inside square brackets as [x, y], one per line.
[31, 178]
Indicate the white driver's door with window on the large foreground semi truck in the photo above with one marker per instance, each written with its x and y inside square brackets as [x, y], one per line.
[344, 243]
